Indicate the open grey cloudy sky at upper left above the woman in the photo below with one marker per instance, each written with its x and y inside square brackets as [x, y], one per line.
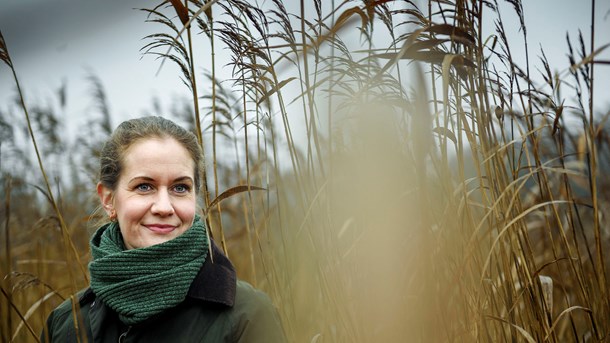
[63, 40]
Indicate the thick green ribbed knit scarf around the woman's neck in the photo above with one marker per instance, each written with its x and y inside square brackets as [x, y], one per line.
[140, 283]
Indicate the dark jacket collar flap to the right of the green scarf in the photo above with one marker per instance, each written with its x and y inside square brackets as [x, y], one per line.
[216, 281]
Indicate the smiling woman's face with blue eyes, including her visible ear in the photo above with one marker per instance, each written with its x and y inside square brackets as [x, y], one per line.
[155, 199]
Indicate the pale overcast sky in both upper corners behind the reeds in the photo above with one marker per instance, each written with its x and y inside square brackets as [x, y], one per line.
[52, 41]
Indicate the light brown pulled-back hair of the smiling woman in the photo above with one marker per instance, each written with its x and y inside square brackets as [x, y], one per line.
[131, 131]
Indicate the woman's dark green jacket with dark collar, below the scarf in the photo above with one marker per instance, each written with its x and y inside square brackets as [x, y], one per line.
[218, 308]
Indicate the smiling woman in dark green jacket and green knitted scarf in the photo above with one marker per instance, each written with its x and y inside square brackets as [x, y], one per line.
[152, 279]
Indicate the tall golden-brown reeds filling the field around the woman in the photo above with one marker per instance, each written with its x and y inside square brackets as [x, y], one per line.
[387, 171]
